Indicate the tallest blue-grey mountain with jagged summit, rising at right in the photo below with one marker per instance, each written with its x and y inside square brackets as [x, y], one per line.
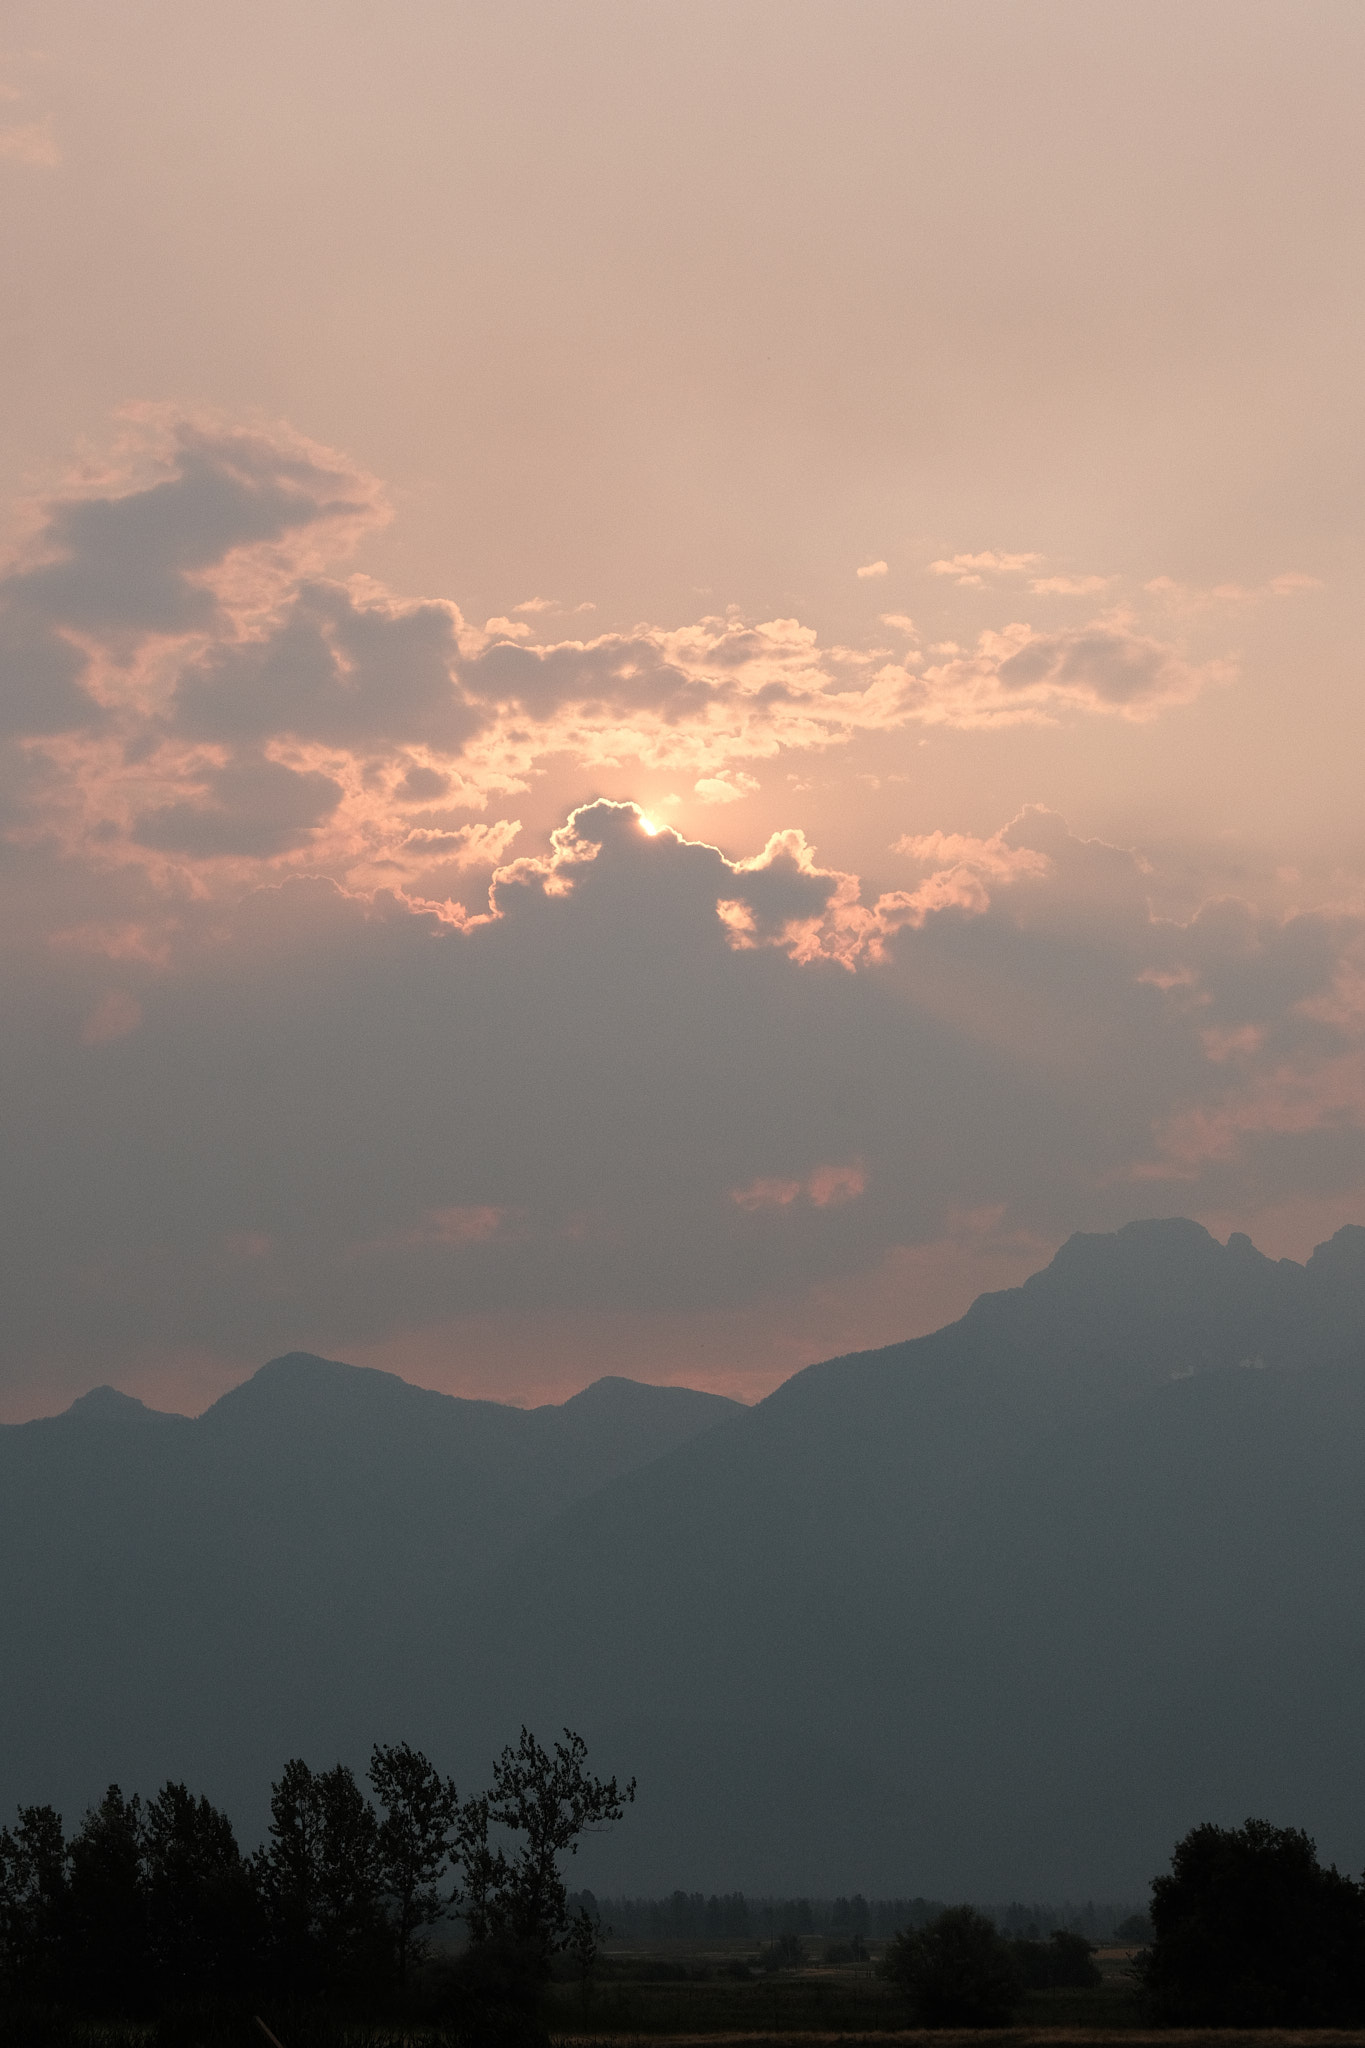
[1004, 1609]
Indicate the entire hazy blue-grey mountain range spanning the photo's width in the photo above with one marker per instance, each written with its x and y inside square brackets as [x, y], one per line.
[996, 1611]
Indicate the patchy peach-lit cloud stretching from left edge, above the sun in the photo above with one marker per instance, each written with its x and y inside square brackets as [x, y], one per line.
[189, 685]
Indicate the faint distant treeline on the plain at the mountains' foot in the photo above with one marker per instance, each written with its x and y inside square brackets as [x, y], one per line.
[732, 1916]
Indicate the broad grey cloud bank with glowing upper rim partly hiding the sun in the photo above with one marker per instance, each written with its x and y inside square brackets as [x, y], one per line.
[652, 1080]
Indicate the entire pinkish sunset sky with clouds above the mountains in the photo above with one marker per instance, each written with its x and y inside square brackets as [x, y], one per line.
[676, 681]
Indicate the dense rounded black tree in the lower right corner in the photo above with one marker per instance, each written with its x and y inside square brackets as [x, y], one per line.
[1249, 1930]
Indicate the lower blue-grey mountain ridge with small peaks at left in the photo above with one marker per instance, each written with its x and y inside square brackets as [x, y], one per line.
[206, 1598]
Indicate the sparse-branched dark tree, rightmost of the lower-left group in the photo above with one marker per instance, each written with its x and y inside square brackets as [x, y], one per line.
[517, 1900]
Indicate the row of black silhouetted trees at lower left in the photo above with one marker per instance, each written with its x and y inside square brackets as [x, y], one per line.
[155, 1906]
